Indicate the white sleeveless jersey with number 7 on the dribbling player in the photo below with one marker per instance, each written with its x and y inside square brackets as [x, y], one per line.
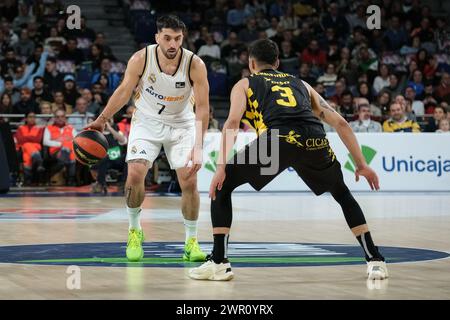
[165, 97]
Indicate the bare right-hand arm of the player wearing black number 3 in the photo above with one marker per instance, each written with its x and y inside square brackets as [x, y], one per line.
[326, 113]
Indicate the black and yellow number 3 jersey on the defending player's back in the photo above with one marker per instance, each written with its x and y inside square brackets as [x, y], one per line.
[278, 100]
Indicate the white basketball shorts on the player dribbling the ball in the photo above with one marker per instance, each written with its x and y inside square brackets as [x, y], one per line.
[148, 135]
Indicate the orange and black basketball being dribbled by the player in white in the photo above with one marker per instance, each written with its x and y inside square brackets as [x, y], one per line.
[90, 146]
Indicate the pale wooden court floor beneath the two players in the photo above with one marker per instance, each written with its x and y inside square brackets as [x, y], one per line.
[408, 222]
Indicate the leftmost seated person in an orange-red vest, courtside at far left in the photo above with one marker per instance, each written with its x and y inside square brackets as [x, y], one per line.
[29, 140]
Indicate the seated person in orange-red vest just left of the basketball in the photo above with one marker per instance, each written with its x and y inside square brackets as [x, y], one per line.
[58, 138]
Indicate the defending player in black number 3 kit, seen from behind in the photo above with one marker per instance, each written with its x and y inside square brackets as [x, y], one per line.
[280, 106]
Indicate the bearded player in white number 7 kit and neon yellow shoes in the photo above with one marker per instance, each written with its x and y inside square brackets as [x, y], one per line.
[166, 78]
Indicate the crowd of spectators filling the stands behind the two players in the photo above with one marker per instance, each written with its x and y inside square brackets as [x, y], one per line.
[394, 79]
